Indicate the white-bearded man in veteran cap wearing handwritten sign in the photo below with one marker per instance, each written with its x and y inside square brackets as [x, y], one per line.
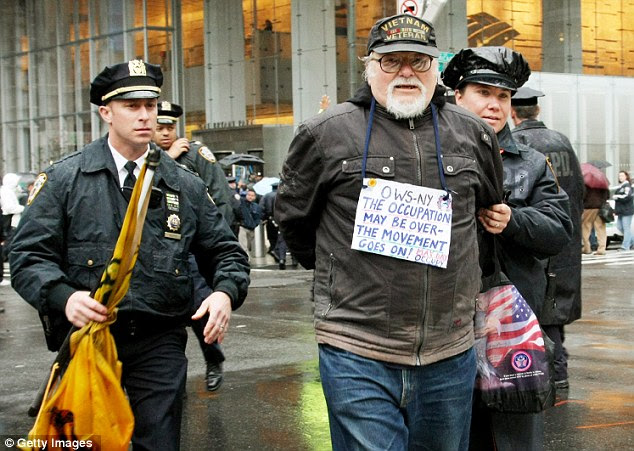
[391, 197]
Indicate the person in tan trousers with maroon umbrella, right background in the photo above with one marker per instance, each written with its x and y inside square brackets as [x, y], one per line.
[596, 194]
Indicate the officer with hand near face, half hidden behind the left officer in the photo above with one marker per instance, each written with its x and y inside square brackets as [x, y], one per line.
[198, 158]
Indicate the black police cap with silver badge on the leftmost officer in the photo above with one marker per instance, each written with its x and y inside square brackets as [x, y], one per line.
[135, 79]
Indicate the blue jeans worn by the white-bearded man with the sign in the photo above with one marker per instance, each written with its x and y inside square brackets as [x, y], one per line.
[376, 405]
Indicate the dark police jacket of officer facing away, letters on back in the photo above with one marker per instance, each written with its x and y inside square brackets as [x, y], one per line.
[565, 306]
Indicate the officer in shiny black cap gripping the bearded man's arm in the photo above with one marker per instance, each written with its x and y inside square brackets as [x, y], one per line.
[484, 79]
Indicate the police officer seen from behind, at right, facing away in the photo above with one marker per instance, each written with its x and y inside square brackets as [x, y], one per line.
[563, 303]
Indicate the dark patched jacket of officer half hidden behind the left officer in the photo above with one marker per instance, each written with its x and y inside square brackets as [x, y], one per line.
[203, 162]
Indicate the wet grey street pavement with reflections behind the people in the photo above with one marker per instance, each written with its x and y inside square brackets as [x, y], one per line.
[271, 397]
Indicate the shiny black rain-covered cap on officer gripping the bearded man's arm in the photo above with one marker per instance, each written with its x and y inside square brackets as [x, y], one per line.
[493, 66]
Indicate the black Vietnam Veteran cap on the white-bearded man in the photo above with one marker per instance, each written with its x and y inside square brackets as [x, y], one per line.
[403, 33]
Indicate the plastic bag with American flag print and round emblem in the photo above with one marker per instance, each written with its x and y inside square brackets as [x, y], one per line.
[514, 356]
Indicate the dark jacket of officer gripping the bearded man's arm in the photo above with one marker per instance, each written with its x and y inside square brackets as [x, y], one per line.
[540, 225]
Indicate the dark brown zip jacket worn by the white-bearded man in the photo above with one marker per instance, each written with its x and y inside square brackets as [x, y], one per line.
[380, 307]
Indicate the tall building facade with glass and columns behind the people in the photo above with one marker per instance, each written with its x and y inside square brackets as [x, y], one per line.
[232, 64]
